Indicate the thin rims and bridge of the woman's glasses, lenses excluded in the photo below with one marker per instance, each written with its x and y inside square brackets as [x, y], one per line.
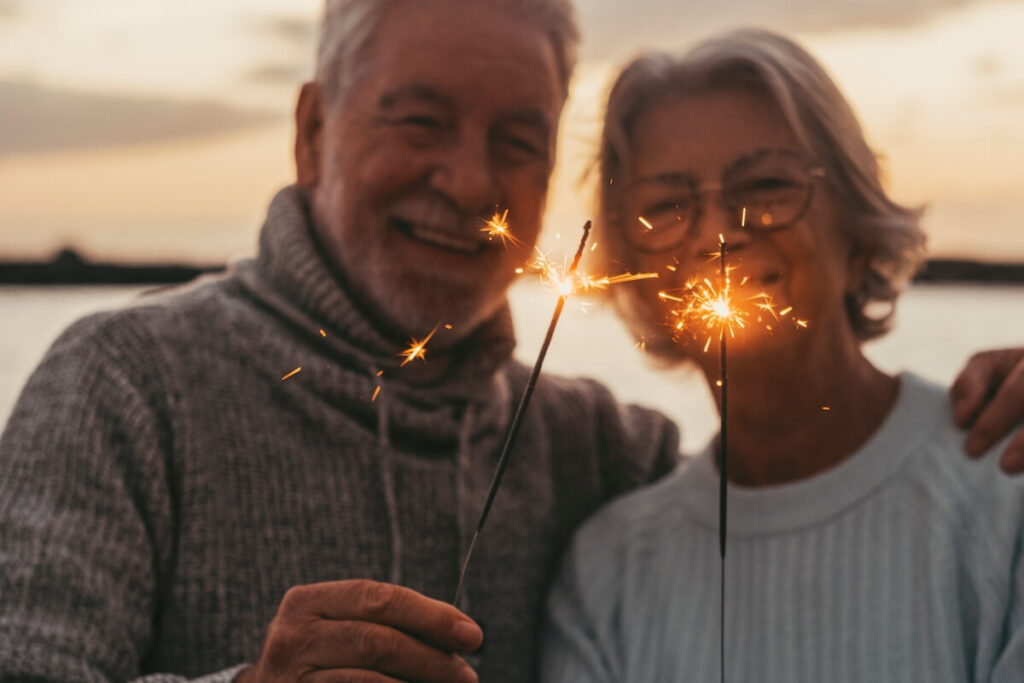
[814, 170]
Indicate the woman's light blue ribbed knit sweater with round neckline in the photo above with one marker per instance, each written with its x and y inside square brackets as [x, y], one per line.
[903, 564]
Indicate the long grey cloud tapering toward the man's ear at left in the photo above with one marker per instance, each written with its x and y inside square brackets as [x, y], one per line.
[40, 119]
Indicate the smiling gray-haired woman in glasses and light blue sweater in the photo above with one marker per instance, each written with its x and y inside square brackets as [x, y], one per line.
[858, 550]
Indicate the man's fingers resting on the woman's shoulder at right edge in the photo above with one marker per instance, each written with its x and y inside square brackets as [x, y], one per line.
[989, 398]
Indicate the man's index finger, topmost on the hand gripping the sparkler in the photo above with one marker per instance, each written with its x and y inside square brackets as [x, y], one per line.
[434, 622]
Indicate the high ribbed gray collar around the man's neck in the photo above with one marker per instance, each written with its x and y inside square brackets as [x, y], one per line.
[292, 276]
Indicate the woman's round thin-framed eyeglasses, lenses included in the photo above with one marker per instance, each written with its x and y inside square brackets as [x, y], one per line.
[770, 190]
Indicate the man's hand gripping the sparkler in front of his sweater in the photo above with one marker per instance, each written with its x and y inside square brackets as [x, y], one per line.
[367, 632]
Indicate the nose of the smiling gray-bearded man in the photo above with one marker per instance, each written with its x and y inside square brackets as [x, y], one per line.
[465, 174]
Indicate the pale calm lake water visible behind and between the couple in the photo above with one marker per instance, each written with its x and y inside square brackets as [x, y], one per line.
[938, 327]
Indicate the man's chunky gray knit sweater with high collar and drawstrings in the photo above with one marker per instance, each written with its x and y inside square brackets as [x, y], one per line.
[161, 487]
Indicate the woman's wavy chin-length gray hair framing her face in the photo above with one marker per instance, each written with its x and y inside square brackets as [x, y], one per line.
[884, 234]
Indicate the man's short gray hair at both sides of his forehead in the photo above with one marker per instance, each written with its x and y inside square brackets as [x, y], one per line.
[348, 29]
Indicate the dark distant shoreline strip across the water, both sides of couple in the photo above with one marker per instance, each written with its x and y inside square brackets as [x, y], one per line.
[68, 268]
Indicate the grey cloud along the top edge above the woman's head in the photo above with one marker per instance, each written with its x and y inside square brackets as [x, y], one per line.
[617, 29]
